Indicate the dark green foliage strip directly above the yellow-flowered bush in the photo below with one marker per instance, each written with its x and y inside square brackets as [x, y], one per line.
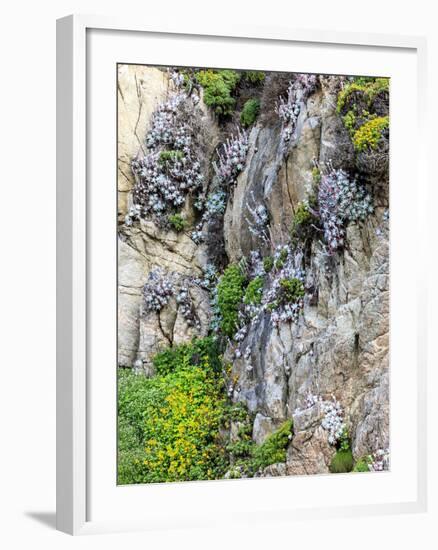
[195, 353]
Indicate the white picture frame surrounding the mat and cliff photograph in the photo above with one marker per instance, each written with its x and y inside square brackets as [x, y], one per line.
[75, 218]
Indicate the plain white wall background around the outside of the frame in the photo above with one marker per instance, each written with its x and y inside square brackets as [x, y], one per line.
[27, 385]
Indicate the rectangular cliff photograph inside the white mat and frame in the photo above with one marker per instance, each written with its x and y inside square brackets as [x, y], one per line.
[253, 269]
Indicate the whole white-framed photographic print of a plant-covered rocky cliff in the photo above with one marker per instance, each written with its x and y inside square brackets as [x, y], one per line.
[238, 229]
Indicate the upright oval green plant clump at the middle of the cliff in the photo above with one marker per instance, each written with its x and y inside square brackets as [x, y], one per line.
[230, 292]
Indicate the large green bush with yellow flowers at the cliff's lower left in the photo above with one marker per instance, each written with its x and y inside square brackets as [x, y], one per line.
[168, 426]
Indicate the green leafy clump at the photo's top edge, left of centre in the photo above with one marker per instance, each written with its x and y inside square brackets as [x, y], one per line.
[218, 87]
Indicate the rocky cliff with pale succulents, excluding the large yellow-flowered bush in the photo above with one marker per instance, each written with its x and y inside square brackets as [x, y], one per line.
[300, 205]
